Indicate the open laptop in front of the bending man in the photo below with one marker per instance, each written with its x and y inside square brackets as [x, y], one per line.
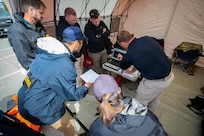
[114, 62]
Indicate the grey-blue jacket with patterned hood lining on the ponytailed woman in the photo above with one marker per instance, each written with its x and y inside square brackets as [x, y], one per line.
[134, 120]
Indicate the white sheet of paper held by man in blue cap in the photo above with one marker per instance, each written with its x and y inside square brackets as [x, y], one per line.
[89, 76]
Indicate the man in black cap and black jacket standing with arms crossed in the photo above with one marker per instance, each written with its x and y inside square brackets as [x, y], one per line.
[97, 32]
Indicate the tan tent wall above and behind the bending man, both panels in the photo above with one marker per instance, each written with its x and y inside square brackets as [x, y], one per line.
[175, 21]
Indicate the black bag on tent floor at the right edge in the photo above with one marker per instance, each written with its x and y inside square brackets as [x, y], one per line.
[197, 104]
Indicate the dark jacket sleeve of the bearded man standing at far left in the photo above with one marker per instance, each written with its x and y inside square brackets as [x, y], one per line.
[22, 48]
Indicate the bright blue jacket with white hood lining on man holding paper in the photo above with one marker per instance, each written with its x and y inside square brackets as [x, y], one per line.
[55, 72]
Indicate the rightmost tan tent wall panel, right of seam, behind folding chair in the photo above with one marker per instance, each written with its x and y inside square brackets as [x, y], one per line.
[187, 25]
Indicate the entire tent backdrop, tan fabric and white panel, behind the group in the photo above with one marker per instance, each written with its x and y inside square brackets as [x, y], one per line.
[175, 21]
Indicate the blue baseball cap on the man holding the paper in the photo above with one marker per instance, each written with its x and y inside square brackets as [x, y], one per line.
[73, 33]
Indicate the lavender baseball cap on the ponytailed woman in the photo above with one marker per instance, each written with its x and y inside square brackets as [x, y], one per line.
[105, 84]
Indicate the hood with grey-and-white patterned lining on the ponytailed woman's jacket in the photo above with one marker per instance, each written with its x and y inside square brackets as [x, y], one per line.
[133, 115]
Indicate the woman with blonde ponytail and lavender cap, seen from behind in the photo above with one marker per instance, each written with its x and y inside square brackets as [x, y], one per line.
[121, 116]
